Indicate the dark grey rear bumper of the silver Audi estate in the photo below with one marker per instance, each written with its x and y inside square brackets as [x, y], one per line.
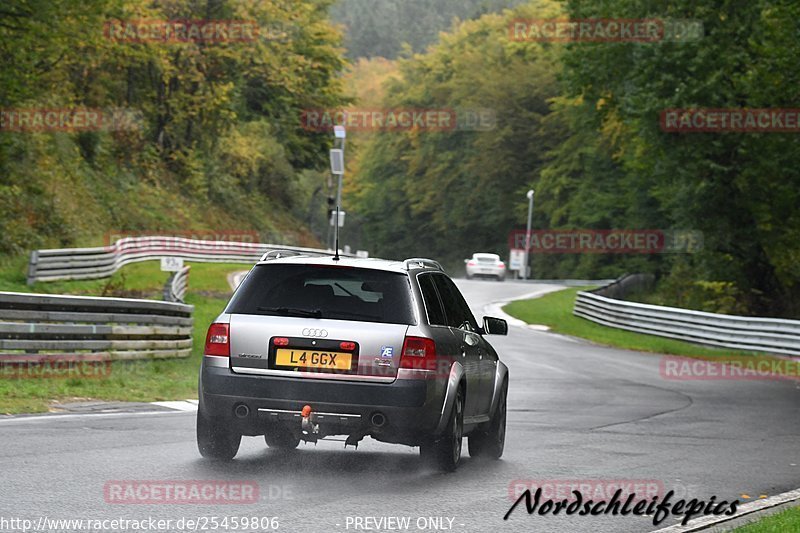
[411, 407]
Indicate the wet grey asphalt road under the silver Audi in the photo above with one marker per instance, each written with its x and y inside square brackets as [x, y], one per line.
[577, 412]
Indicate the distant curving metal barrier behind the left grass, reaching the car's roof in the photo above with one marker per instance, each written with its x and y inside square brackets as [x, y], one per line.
[102, 262]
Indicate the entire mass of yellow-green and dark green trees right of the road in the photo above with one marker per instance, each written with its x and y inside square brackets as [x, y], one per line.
[580, 123]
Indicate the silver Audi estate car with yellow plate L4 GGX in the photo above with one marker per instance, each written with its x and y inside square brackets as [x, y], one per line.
[310, 347]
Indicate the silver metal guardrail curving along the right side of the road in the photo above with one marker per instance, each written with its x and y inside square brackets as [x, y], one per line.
[770, 335]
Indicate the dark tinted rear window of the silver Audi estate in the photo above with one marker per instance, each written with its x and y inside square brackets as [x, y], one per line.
[336, 292]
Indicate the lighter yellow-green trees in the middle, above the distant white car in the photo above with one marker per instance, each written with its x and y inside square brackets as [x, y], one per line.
[450, 192]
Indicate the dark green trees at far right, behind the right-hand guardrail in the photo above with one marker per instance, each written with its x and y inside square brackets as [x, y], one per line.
[739, 189]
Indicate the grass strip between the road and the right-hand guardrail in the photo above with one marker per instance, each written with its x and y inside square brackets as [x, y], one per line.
[555, 311]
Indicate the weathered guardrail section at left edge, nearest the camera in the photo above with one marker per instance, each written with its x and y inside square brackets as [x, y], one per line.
[38, 327]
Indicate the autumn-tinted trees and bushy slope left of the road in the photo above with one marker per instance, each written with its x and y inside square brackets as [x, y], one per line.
[219, 122]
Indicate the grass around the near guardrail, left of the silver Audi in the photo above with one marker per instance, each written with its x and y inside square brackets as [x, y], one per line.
[144, 380]
